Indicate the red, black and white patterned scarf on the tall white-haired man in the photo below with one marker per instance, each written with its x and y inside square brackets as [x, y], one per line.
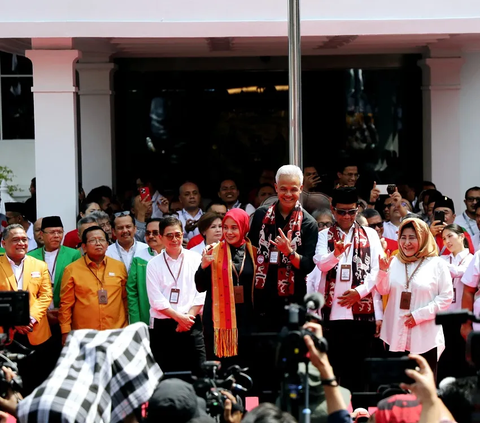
[268, 232]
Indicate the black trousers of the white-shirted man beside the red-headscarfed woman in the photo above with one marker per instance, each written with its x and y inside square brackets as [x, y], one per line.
[178, 351]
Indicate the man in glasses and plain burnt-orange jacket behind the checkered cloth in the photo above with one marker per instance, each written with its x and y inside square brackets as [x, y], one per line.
[93, 294]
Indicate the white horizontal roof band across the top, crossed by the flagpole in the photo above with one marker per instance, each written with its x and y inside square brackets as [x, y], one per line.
[214, 18]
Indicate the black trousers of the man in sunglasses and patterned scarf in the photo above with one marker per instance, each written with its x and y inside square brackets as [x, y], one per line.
[349, 344]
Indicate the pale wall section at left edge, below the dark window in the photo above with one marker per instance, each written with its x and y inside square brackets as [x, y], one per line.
[19, 155]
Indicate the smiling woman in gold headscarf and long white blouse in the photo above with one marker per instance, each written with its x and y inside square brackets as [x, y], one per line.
[419, 286]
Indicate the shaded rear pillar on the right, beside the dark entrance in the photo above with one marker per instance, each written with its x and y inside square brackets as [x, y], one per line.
[441, 125]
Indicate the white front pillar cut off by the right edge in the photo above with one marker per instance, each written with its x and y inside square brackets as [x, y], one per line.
[469, 111]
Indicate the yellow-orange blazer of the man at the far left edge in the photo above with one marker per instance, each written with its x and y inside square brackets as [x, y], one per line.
[36, 281]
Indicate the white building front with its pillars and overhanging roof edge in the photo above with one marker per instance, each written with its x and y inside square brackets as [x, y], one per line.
[73, 46]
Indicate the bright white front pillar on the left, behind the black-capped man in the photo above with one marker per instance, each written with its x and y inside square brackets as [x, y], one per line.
[54, 95]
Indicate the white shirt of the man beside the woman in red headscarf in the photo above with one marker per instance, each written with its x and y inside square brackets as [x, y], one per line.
[160, 283]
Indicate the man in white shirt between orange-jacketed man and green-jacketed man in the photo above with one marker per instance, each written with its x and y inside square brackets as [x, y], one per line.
[125, 248]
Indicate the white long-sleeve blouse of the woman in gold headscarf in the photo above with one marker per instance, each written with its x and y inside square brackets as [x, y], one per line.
[432, 292]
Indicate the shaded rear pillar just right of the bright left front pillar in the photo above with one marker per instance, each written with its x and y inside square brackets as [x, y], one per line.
[96, 123]
